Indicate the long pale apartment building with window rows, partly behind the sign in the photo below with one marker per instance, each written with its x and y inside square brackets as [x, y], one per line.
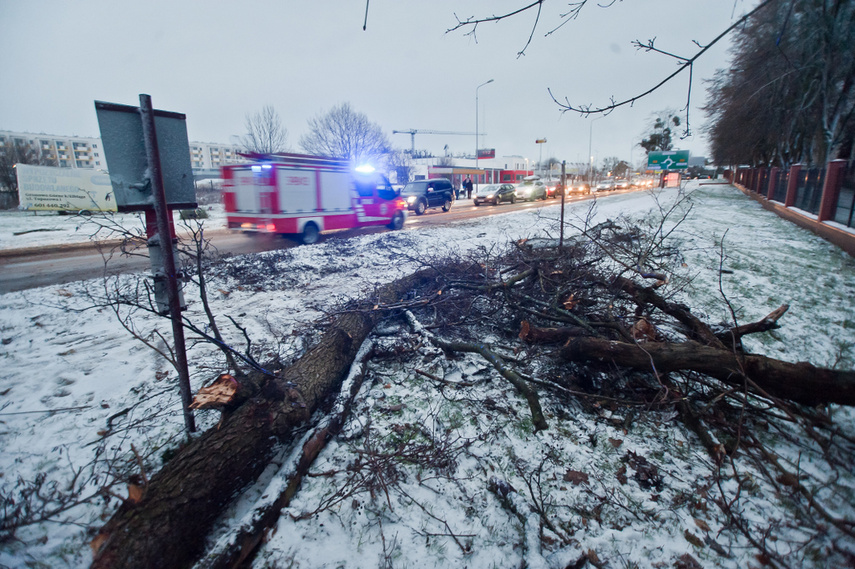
[82, 152]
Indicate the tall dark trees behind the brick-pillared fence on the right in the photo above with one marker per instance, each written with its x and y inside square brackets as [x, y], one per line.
[789, 95]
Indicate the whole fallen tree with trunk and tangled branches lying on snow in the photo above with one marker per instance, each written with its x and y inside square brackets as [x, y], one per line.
[562, 294]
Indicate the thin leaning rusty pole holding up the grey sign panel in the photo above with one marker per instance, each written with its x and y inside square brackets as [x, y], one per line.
[165, 238]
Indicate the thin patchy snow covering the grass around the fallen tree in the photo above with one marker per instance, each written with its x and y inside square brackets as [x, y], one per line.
[77, 387]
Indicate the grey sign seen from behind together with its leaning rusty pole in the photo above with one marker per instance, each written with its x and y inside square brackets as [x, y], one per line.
[148, 157]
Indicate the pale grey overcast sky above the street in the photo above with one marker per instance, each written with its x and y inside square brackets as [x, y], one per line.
[217, 61]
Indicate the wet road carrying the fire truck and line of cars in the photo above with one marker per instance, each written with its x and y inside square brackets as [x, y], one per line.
[32, 268]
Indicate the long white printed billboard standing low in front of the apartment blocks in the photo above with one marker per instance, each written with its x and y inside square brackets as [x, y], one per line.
[64, 189]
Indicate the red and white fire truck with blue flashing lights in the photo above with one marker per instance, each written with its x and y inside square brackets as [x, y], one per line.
[302, 195]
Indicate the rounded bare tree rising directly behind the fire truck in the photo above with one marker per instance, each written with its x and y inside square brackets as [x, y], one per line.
[345, 133]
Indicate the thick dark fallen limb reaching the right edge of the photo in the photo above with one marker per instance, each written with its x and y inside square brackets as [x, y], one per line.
[801, 382]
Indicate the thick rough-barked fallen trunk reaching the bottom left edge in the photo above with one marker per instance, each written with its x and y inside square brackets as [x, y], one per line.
[182, 501]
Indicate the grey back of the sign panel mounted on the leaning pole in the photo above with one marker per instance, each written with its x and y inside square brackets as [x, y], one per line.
[124, 149]
